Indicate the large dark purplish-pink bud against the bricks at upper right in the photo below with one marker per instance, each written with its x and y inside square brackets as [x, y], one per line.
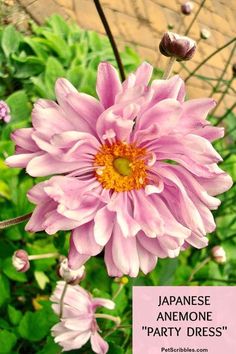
[174, 45]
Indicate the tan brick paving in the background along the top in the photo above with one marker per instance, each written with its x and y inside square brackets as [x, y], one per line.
[140, 25]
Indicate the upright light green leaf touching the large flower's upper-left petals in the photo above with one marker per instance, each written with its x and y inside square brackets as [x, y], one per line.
[54, 70]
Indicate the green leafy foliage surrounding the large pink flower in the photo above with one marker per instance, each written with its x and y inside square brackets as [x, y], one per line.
[30, 65]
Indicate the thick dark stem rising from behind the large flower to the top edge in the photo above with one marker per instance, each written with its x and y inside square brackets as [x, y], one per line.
[111, 38]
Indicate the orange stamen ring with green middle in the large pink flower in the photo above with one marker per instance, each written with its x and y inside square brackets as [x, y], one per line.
[121, 167]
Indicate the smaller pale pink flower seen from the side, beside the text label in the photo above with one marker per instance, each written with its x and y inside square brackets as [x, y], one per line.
[78, 323]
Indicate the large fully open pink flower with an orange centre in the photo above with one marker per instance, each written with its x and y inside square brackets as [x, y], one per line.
[139, 173]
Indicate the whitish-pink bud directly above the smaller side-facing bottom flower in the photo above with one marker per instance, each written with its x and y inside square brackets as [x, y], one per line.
[71, 276]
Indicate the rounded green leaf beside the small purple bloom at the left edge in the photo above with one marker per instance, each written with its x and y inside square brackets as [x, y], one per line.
[19, 106]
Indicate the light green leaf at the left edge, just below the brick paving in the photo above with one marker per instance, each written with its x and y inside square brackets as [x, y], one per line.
[10, 40]
